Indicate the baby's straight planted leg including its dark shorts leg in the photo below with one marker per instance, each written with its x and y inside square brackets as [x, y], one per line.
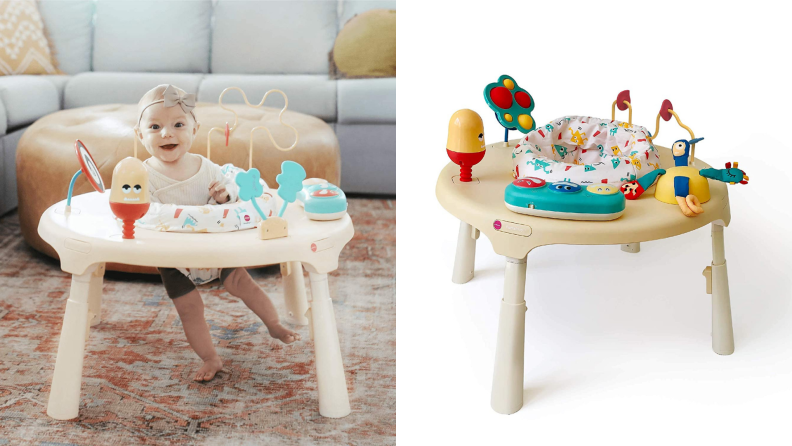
[190, 307]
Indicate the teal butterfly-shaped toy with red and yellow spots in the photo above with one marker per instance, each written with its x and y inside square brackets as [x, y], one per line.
[512, 105]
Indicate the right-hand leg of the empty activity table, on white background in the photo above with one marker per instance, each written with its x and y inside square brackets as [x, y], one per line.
[722, 334]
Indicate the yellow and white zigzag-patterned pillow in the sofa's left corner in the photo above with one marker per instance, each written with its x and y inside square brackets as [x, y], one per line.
[23, 46]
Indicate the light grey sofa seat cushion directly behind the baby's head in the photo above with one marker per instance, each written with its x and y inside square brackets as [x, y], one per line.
[121, 88]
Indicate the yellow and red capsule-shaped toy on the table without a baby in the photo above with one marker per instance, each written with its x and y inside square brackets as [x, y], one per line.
[465, 144]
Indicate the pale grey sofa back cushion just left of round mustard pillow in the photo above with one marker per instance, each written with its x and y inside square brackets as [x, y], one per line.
[296, 37]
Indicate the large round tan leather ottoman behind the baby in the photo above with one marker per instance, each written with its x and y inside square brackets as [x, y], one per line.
[46, 160]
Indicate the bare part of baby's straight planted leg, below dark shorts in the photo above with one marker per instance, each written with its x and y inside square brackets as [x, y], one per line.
[190, 308]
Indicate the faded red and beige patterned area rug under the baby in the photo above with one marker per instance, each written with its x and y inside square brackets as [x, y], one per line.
[137, 386]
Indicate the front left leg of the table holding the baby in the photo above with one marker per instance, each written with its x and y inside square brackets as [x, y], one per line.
[64, 399]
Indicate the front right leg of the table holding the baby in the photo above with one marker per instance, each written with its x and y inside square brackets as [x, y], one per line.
[333, 396]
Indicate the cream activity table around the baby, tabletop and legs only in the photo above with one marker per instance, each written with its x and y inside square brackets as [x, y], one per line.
[89, 236]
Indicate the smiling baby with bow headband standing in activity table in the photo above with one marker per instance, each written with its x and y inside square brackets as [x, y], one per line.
[167, 127]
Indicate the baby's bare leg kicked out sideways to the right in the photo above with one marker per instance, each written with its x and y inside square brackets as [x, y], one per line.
[240, 284]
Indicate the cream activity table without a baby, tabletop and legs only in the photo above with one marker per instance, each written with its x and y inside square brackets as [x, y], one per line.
[480, 208]
